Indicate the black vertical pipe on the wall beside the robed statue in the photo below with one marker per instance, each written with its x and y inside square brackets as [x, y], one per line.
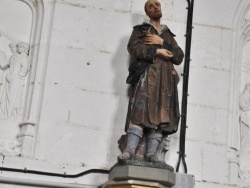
[185, 75]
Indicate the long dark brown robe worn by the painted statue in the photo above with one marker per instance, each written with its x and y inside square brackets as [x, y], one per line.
[154, 97]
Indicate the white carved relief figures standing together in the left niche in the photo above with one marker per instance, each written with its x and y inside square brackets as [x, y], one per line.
[14, 81]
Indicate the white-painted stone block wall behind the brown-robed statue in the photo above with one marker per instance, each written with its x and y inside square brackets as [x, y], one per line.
[80, 95]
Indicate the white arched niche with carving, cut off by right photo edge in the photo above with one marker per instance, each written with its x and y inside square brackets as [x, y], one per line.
[239, 86]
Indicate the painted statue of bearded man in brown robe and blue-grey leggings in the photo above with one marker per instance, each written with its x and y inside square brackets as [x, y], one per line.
[153, 107]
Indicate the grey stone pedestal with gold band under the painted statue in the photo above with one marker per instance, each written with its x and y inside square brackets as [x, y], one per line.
[140, 176]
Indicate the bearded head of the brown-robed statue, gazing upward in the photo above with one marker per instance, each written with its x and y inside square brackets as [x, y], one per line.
[153, 9]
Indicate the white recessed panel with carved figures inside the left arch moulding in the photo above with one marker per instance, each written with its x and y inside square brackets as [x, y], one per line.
[15, 26]
